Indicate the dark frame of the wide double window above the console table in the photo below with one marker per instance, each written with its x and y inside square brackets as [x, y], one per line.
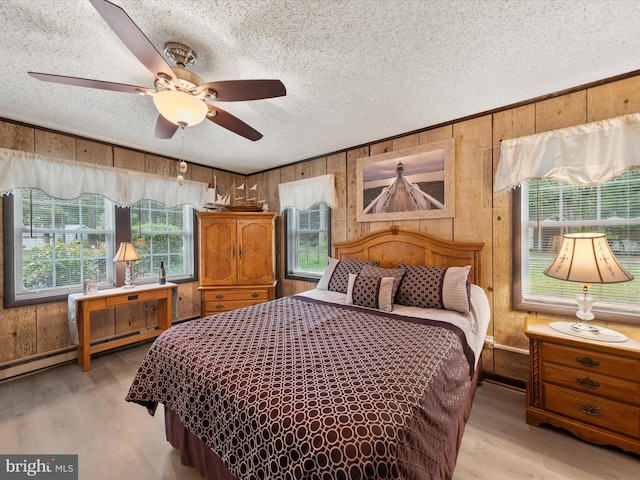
[123, 232]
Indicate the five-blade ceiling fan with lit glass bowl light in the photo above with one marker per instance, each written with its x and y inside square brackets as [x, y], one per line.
[180, 95]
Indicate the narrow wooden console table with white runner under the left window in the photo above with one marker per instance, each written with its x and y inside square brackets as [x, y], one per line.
[81, 306]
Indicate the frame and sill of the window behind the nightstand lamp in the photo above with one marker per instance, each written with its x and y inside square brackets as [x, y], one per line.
[565, 306]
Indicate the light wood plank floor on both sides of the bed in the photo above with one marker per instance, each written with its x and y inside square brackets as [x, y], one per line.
[64, 410]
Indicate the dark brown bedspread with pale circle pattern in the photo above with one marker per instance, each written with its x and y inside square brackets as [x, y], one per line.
[298, 388]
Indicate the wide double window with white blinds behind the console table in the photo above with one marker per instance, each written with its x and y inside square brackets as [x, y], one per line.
[52, 246]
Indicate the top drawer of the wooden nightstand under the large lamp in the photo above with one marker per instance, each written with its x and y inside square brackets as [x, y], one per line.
[591, 361]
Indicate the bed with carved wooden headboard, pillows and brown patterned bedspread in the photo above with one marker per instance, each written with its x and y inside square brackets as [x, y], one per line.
[370, 375]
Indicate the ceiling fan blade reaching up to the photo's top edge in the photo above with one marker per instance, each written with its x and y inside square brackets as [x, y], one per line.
[133, 38]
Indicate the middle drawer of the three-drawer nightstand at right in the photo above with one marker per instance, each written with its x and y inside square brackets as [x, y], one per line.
[592, 383]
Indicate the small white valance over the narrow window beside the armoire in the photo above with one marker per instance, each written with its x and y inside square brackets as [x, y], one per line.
[304, 194]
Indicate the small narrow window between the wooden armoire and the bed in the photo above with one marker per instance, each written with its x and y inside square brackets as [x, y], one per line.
[308, 239]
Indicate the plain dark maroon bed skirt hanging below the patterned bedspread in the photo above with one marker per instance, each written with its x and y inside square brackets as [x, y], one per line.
[194, 453]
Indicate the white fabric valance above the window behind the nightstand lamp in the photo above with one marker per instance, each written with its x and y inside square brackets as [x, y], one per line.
[586, 154]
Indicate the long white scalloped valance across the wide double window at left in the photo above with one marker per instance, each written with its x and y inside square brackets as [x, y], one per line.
[67, 179]
